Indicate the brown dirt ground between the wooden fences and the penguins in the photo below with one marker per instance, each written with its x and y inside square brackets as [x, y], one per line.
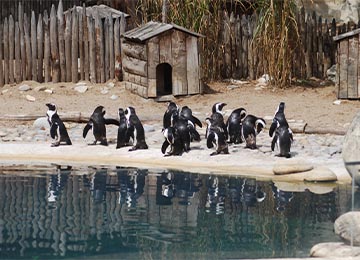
[313, 103]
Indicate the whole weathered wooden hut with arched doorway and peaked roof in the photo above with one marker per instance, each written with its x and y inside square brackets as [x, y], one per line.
[161, 59]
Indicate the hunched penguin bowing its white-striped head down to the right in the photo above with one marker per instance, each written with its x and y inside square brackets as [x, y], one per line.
[251, 127]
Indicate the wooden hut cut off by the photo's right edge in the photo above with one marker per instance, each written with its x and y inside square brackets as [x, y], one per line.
[348, 65]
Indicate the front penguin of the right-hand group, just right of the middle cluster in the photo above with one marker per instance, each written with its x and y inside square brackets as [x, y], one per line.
[216, 138]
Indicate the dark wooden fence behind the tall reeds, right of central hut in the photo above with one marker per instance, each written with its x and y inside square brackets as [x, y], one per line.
[233, 55]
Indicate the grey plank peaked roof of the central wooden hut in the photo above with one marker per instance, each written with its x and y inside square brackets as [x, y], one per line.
[152, 29]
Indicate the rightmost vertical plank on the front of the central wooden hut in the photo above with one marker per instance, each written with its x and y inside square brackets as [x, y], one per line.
[192, 65]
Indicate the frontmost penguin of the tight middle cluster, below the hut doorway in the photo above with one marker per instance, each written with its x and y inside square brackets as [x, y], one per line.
[173, 140]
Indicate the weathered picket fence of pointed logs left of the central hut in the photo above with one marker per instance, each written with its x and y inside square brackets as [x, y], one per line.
[62, 46]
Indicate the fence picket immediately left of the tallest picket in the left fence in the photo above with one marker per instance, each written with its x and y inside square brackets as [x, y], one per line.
[54, 46]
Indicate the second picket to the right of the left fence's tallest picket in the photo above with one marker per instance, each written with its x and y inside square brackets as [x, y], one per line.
[74, 47]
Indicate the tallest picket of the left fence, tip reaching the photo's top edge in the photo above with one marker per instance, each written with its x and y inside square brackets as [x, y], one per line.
[61, 30]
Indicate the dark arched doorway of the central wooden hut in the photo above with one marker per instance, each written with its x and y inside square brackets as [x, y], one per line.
[163, 79]
